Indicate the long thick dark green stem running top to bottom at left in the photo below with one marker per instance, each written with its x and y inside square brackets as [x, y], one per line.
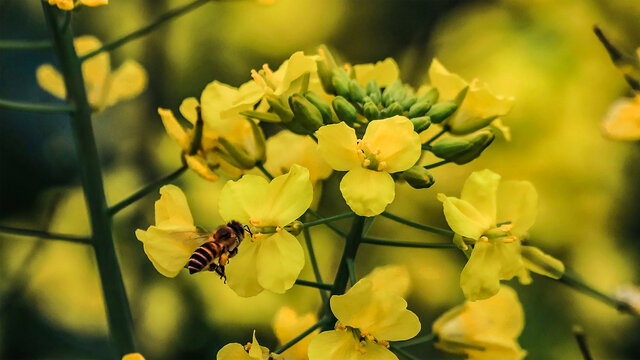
[115, 297]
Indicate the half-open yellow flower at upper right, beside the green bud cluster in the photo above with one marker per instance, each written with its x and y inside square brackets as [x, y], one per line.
[479, 108]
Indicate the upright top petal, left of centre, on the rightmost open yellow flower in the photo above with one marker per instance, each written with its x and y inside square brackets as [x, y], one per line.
[480, 190]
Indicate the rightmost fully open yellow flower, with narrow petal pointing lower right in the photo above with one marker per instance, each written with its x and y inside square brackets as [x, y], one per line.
[497, 251]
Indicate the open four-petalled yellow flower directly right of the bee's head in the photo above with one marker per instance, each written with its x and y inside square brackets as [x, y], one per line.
[273, 258]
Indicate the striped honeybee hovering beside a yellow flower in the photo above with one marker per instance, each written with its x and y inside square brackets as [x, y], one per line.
[222, 245]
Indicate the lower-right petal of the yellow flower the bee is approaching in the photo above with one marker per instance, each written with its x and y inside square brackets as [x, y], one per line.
[279, 262]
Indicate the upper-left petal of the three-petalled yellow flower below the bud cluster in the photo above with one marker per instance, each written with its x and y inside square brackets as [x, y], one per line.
[337, 146]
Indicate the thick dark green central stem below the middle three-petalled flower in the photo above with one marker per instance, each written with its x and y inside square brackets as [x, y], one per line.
[342, 276]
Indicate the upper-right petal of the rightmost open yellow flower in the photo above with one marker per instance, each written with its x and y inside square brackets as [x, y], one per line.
[518, 203]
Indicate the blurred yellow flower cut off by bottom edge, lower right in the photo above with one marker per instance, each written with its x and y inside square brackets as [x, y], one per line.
[483, 330]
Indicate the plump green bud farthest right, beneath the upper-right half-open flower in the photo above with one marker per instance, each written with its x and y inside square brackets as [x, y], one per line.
[462, 150]
